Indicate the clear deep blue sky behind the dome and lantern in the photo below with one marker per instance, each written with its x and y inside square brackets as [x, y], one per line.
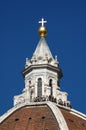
[66, 38]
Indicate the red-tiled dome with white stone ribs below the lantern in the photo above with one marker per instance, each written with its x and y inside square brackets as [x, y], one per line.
[42, 116]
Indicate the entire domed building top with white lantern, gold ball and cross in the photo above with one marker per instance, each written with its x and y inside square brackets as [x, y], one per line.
[42, 105]
